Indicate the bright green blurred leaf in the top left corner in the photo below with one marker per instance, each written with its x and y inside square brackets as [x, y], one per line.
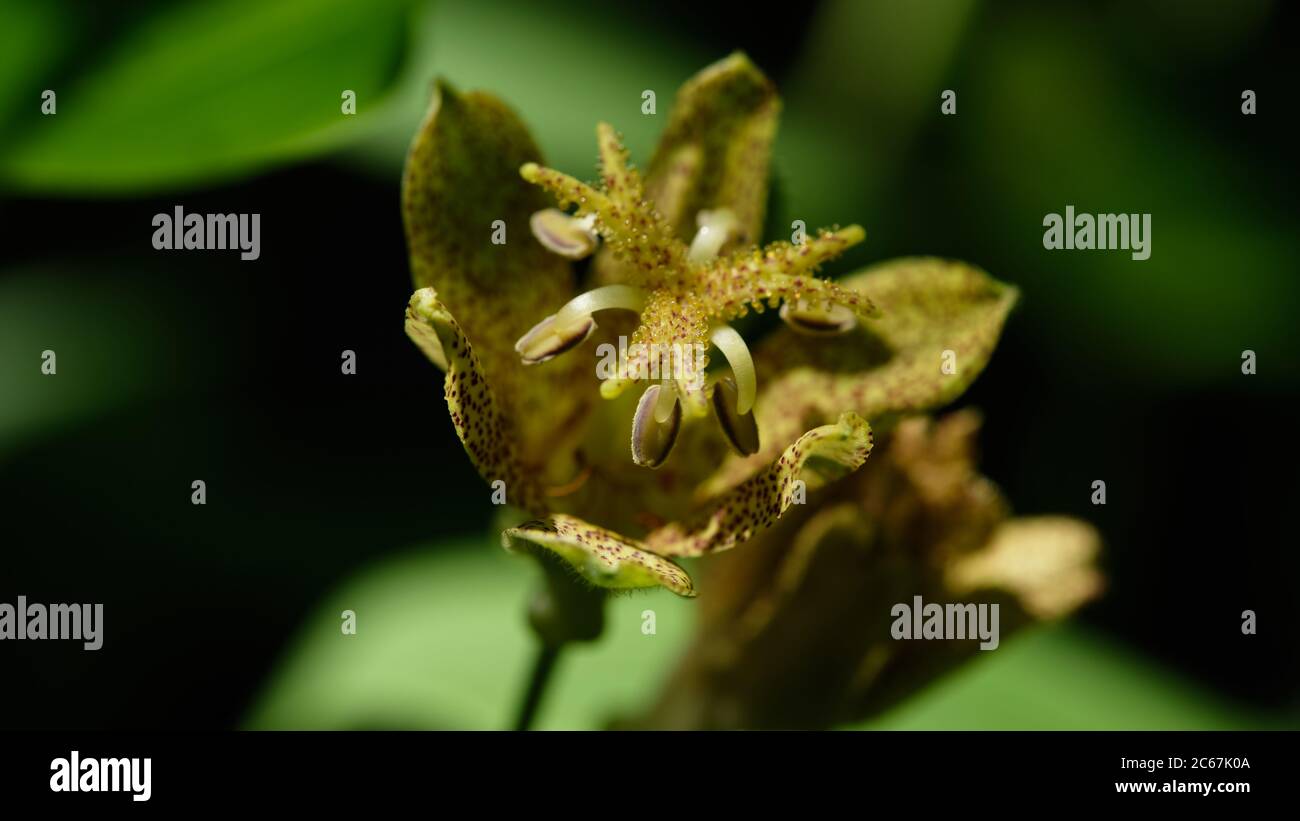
[203, 92]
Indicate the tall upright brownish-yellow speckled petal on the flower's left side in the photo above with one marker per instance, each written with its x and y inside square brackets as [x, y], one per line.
[462, 177]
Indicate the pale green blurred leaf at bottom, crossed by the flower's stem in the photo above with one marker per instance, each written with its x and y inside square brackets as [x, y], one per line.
[443, 642]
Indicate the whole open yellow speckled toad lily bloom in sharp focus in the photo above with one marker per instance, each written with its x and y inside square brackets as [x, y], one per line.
[674, 260]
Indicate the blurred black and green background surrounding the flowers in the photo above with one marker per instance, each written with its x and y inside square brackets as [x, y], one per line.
[331, 493]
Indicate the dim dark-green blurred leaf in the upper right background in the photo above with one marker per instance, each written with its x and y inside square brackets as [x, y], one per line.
[1219, 279]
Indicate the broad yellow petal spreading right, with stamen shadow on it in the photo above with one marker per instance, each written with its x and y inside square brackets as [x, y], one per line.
[933, 312]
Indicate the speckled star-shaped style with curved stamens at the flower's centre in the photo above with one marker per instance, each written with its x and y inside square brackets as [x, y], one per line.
[684, 298]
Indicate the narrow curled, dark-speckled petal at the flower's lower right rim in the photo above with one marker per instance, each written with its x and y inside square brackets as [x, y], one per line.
[820, 457]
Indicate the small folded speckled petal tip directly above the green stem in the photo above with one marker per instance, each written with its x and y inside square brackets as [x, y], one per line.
[601, 557]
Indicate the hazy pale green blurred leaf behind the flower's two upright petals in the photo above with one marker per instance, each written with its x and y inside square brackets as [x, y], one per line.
[562, 72]
